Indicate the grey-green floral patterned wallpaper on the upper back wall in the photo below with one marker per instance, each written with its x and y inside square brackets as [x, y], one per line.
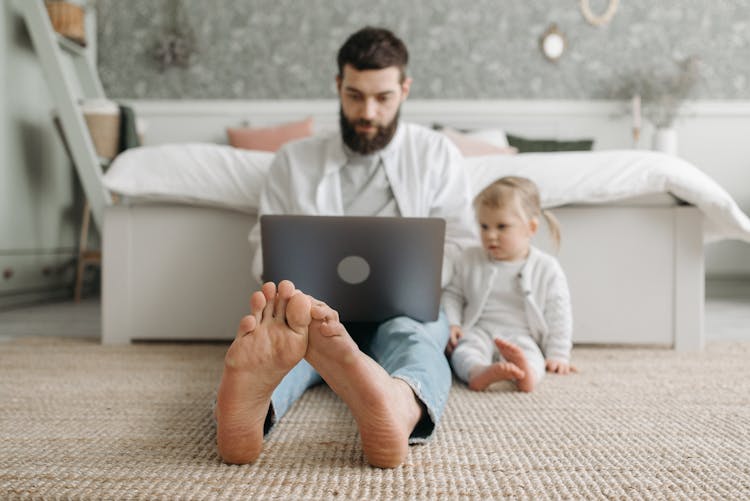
[460, 49]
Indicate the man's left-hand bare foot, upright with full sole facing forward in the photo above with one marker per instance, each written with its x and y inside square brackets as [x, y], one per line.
[269, 343]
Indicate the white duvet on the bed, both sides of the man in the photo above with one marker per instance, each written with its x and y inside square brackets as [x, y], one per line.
[219, 175]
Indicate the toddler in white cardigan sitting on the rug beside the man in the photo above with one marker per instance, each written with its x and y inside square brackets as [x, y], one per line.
[508, 303]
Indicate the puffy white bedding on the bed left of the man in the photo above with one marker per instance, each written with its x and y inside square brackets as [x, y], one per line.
[194, 173]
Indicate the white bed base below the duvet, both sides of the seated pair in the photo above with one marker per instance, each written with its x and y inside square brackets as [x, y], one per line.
[183, 272]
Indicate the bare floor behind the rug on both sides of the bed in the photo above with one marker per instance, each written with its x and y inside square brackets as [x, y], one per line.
[727, 315]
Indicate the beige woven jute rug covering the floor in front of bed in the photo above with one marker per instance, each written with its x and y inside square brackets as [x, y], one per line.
[81, 420]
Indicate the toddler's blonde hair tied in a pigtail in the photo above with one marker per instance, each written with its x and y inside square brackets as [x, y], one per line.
[525, 194]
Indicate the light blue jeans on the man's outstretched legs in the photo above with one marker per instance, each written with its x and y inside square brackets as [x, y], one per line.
[407, 349]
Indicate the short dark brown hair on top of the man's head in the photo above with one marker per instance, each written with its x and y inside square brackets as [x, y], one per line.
[373, 49]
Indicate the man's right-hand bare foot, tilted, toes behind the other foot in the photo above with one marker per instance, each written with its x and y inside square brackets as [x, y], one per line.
[385, 408]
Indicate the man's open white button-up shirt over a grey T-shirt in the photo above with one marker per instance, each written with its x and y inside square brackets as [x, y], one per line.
[425, 171]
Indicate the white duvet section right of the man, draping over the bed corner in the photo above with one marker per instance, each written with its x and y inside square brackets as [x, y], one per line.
[605, 176]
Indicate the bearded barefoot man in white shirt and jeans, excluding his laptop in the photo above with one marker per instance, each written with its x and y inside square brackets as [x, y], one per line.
[393, 376]
